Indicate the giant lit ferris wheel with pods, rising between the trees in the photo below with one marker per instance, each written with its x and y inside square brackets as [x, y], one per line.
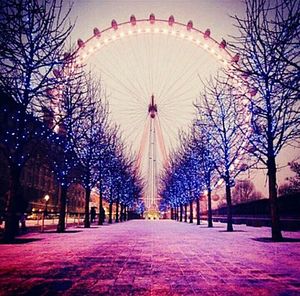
[152, 71]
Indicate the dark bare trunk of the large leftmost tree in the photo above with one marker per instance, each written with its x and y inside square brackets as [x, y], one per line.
[14, 200]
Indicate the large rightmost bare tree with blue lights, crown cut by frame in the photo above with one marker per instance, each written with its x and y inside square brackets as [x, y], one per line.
[269, 47]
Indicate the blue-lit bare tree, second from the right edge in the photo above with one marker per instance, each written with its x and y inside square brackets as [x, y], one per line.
[223, 116]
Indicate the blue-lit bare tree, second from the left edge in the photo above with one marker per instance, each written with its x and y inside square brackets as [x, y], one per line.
[76, 106]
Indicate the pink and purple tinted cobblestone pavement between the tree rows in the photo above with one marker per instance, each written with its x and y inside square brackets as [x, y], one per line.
[152, 258]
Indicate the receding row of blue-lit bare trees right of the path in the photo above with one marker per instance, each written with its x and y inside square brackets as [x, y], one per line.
[236, 127]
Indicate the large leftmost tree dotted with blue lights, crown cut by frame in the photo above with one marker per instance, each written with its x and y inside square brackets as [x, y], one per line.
[32, 40]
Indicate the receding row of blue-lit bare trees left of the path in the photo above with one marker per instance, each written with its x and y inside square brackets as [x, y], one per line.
[42, 79]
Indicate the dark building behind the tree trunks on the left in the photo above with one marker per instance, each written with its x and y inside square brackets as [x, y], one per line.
[37, 179]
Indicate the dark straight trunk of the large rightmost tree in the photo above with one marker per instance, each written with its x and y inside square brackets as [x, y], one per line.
[275, 217]
